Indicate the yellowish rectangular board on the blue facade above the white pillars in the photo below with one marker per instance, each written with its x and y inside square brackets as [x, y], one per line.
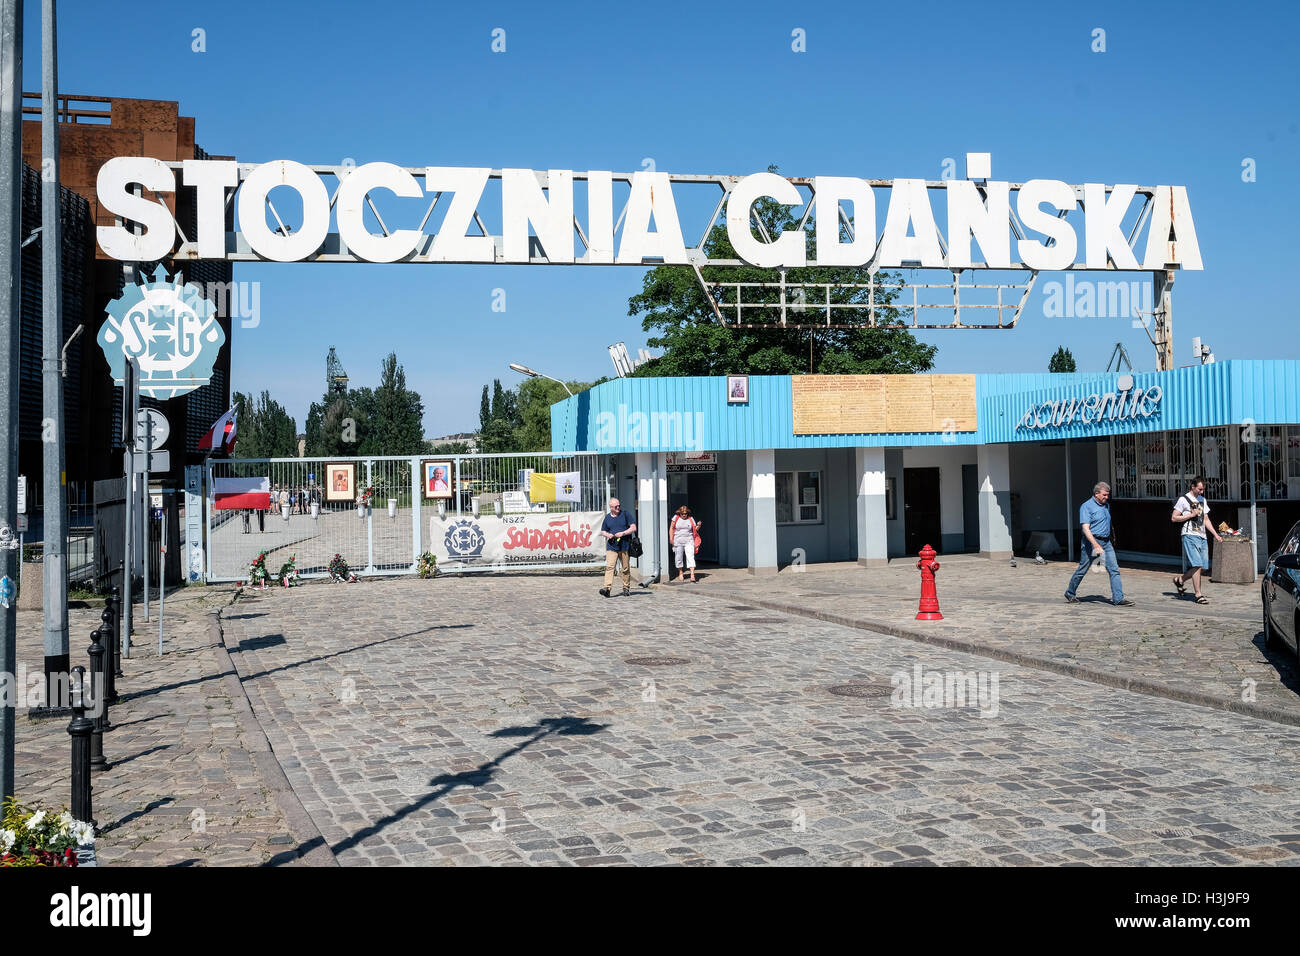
[883, 404]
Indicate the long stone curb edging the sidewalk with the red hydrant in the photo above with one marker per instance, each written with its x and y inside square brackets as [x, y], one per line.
[1072, 671]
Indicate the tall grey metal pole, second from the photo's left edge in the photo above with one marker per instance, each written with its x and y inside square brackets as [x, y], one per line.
[55, 576]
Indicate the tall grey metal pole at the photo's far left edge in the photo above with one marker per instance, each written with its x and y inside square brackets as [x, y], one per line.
[11, 347]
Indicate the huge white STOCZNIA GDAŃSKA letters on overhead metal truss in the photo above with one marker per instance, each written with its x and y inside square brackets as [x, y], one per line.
[539, 219]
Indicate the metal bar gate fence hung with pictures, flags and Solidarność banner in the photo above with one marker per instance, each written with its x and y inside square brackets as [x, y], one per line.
[389, 538]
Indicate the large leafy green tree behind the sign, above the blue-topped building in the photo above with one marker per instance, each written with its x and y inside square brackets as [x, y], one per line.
[674, 305]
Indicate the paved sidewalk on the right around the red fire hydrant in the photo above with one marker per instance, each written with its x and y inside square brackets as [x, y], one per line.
[1210, 655]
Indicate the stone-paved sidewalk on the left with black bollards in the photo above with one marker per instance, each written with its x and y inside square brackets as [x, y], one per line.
[193, 780]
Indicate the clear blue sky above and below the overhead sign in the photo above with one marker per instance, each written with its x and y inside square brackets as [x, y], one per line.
[882, 92]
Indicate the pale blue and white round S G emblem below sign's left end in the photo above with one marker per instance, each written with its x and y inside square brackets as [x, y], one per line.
[170, 328]
